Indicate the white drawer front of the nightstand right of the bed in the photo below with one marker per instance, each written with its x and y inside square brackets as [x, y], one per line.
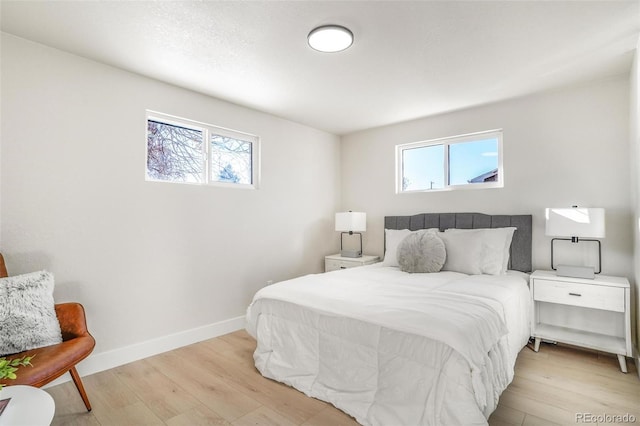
[577, 294]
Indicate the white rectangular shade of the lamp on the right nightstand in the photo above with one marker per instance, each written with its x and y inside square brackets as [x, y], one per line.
[575, 222]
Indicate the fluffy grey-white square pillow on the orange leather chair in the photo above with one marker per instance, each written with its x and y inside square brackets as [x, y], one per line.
[27, 313]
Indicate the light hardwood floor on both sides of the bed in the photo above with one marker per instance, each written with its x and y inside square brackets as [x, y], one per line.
[215, 382]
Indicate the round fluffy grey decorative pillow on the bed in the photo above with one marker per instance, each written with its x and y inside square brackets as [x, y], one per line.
[421, 252]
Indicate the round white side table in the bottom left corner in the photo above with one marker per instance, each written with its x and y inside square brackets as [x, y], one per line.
[29, 406]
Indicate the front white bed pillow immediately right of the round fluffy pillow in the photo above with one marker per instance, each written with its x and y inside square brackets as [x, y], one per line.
[463, 252]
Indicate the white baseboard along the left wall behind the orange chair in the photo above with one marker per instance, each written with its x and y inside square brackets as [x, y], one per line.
[102, 361]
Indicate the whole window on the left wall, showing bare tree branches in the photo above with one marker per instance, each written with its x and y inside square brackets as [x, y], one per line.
[186, 151]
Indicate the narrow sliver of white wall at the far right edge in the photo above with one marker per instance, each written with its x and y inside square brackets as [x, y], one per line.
[635, 181]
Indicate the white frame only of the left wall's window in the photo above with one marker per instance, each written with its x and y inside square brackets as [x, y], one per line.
[207, 130]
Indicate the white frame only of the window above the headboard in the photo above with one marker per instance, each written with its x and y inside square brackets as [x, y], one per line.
[446, 142]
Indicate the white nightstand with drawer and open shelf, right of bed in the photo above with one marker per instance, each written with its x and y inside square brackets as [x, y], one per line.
[589, 313]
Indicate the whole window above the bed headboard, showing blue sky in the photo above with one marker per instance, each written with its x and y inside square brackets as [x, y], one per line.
[459, 162]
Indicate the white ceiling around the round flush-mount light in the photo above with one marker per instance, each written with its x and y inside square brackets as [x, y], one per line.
[409, 59]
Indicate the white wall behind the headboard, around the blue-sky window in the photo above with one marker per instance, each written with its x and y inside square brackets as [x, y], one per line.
[561, 148]
